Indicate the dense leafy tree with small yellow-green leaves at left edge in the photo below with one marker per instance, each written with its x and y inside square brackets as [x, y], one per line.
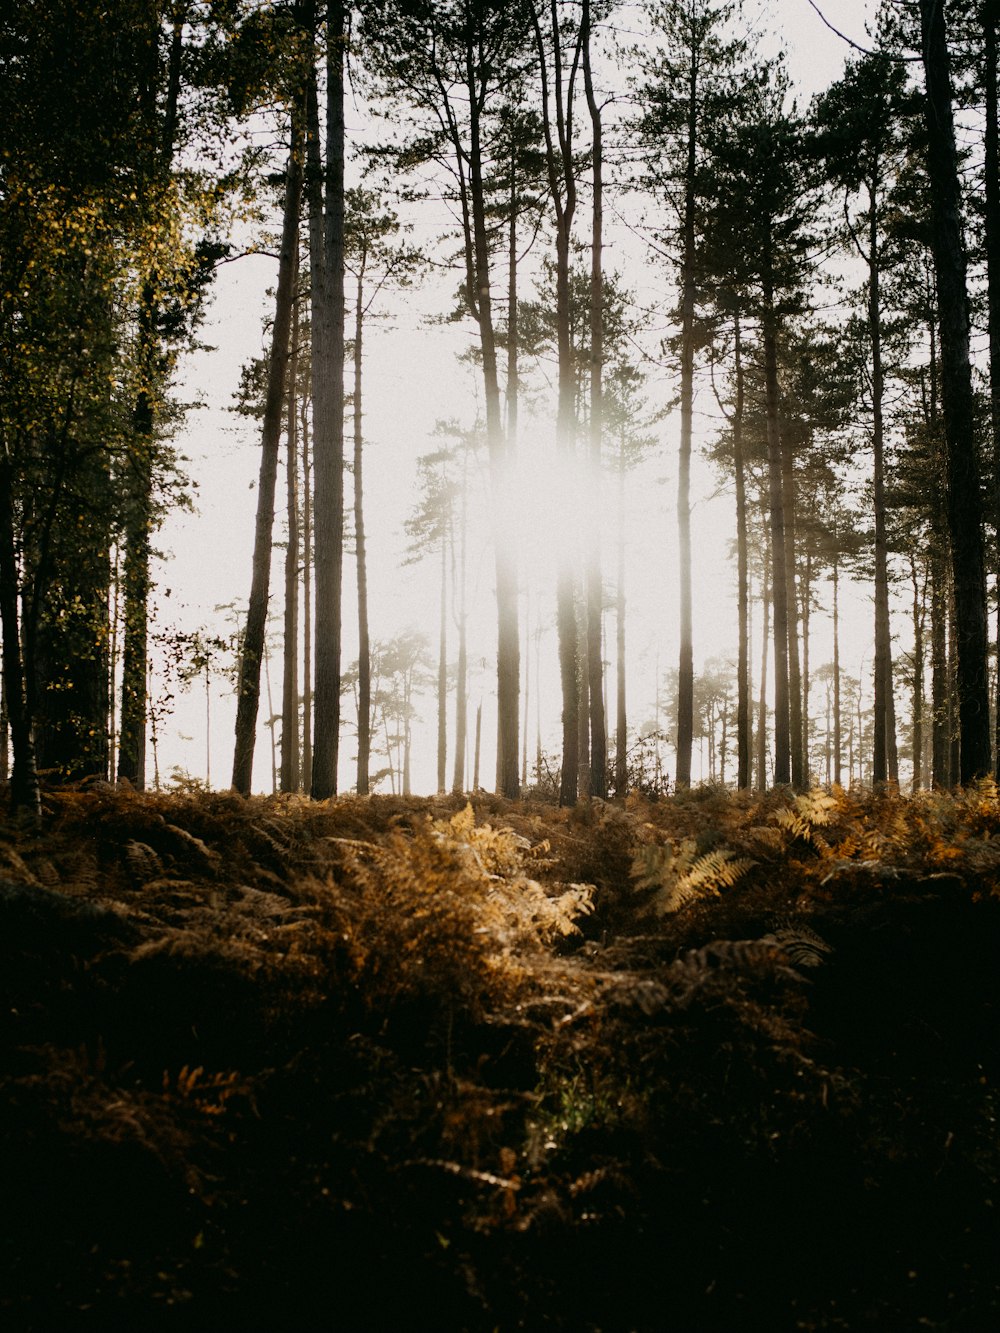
[89, 213]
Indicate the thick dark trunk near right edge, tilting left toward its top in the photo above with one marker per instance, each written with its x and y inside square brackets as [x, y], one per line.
[965, 501]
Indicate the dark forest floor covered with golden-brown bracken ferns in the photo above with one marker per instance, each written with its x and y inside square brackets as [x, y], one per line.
[697, 1064]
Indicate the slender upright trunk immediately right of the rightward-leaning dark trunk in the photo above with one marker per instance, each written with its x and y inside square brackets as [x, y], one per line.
[290, 667]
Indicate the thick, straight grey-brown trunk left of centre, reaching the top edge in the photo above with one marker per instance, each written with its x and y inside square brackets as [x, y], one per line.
[327, 255]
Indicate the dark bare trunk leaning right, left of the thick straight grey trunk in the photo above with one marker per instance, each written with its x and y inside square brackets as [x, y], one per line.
[249, 688]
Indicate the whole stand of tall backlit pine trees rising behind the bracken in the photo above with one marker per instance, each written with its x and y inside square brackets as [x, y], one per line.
[830, 269]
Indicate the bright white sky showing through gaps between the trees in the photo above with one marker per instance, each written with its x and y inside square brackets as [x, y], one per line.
[414, 379]
